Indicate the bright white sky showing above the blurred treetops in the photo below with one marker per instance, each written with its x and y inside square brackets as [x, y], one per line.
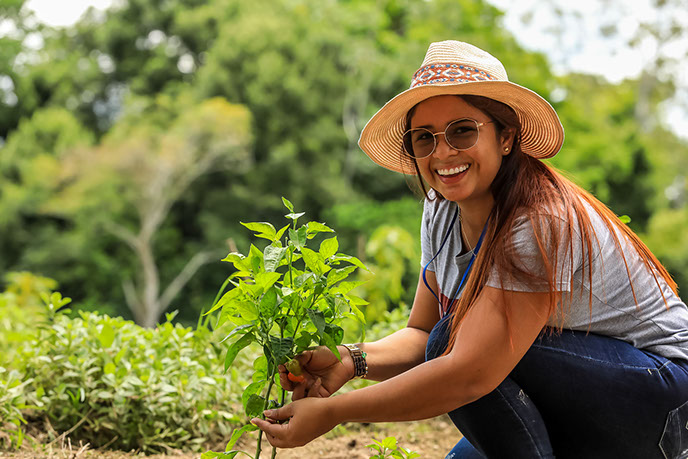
[579, 46]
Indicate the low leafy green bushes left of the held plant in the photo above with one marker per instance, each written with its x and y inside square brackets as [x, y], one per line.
[107, 381]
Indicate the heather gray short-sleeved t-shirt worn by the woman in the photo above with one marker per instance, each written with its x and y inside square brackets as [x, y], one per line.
[651, 324]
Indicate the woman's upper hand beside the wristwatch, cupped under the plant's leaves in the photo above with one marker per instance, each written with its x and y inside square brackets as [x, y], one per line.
[319, 365]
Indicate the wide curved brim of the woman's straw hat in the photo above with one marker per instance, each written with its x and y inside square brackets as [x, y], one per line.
[541, 135]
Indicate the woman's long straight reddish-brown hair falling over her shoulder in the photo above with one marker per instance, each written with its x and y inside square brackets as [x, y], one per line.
[526, 187]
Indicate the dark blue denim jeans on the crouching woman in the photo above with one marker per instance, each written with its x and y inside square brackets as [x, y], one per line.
[577, 395]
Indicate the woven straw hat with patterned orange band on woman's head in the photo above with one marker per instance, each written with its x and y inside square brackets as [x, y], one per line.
[454, 67]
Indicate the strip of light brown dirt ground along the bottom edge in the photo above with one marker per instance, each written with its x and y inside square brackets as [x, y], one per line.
[431, 439]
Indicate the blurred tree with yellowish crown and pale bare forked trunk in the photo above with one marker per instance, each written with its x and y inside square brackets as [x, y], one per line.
[128, 185]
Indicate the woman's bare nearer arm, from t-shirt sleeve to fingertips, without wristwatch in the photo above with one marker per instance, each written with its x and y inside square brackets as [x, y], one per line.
[487, 348]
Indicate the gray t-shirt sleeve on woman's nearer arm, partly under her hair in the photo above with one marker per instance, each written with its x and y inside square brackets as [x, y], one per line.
[528, 269]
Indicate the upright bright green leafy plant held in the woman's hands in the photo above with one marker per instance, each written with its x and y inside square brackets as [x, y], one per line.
[285, 298]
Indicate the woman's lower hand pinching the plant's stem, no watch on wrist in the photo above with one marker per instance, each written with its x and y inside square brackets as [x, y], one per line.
[308, 419]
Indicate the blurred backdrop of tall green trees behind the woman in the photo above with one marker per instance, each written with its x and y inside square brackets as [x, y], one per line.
[111, 107]
